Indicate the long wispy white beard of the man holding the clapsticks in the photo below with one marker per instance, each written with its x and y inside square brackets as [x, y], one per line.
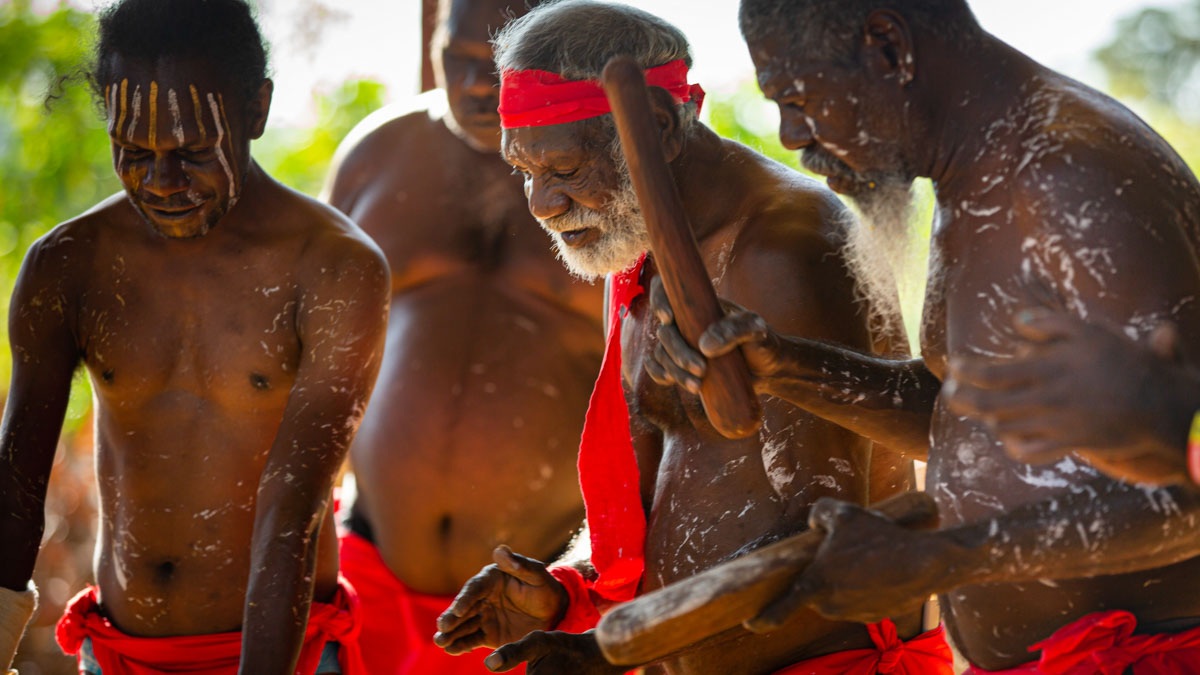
[880, 249]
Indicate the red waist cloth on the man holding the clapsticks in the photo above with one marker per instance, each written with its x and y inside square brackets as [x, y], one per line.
[1105, 644]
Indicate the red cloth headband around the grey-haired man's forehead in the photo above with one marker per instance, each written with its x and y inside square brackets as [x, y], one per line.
[543, 99]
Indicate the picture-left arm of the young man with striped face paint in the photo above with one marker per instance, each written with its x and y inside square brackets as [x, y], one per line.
[45, 356]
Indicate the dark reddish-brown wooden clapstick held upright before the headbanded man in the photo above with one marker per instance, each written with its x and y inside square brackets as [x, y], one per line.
[728, 392]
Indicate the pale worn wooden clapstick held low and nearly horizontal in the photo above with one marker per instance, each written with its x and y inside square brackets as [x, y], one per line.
[688, 612]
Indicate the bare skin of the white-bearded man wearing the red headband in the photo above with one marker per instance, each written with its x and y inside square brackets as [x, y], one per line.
[767, 237]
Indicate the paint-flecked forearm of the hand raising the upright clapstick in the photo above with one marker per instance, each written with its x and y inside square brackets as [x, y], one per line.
[889, 402]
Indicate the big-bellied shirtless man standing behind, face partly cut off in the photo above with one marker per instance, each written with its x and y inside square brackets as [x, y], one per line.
[493, 351]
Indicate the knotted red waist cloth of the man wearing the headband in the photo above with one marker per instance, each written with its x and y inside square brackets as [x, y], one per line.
[925, 655]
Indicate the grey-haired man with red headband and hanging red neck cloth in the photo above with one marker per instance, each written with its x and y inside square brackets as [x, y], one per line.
[667, 495]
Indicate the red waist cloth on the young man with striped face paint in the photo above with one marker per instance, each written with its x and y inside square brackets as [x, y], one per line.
[218, 654]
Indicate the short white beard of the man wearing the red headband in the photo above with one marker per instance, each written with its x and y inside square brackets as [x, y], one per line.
[623, 237]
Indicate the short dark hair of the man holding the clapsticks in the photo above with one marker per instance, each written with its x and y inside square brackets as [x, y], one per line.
[835, 28]
